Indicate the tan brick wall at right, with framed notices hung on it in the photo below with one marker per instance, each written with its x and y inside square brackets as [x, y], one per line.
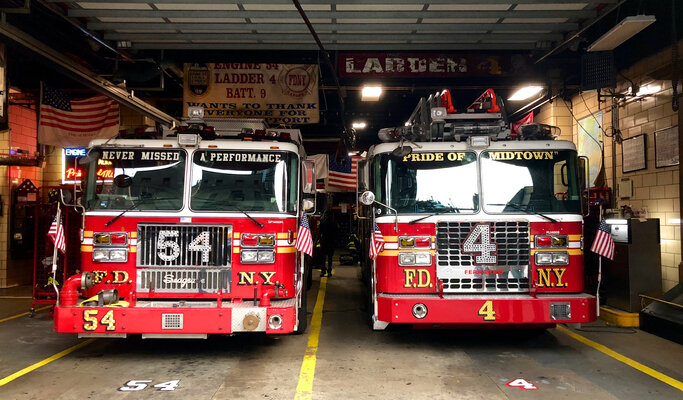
[657, 189]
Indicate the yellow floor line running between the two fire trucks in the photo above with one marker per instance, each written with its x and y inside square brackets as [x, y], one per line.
[304, 389]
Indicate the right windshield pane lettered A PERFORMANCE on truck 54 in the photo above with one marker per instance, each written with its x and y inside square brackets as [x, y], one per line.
[242, 180]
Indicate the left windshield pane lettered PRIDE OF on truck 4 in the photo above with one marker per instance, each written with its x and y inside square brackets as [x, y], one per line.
[428, 182]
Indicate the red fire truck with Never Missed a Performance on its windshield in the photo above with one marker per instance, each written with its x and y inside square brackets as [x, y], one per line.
[191, 234]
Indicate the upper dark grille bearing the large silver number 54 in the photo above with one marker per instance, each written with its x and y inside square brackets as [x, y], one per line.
[184, 245]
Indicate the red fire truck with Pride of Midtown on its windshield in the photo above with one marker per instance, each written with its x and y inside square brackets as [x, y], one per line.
[480, 226]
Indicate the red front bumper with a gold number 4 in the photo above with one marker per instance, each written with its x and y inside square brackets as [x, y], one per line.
[488, 309]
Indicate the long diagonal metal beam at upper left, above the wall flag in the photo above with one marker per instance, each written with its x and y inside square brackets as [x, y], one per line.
[81, 74]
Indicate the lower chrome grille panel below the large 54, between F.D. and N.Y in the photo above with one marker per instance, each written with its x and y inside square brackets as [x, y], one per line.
[195, 280]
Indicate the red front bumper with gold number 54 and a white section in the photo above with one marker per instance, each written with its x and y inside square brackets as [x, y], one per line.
[166, 319]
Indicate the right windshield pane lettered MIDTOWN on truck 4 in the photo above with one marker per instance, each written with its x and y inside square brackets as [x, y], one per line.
[530, 181]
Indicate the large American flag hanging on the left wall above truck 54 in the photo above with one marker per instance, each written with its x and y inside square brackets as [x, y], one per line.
[68, 123]
